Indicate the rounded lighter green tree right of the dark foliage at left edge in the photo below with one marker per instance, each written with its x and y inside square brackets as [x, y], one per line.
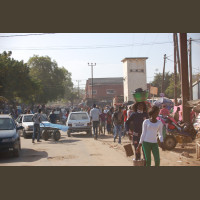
[55, 81]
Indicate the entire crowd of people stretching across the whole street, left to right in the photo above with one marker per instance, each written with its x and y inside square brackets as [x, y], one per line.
[137, 121]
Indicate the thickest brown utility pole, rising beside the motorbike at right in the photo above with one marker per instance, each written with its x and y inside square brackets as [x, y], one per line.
[184, 77]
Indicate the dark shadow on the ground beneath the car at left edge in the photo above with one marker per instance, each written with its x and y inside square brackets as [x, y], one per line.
[26, 155]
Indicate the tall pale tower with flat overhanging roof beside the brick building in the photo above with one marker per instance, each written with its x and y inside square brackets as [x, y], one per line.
[134, 76]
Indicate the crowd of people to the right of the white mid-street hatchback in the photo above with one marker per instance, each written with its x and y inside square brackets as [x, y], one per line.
[139, 123]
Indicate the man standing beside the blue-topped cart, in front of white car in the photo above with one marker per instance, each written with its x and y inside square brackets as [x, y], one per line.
[36, 127]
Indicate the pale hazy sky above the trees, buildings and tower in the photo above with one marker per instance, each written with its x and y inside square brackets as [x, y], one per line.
[75, 50]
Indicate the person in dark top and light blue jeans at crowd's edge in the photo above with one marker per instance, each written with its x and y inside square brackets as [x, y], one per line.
[118, 120]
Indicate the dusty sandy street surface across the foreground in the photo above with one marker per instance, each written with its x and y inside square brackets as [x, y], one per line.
[81, 150]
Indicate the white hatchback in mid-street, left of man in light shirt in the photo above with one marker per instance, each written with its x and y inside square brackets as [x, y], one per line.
[78, 122]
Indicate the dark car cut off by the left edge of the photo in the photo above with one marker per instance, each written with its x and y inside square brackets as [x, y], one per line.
[9, 135]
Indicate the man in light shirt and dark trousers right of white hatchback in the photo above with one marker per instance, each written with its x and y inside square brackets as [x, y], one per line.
[94, 114]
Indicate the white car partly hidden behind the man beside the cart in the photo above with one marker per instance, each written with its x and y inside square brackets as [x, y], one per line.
[25, 120]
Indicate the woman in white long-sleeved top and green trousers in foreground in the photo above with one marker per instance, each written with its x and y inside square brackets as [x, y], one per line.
[148, 140]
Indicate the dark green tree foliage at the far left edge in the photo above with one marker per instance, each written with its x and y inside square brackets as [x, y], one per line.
[15, 81]
